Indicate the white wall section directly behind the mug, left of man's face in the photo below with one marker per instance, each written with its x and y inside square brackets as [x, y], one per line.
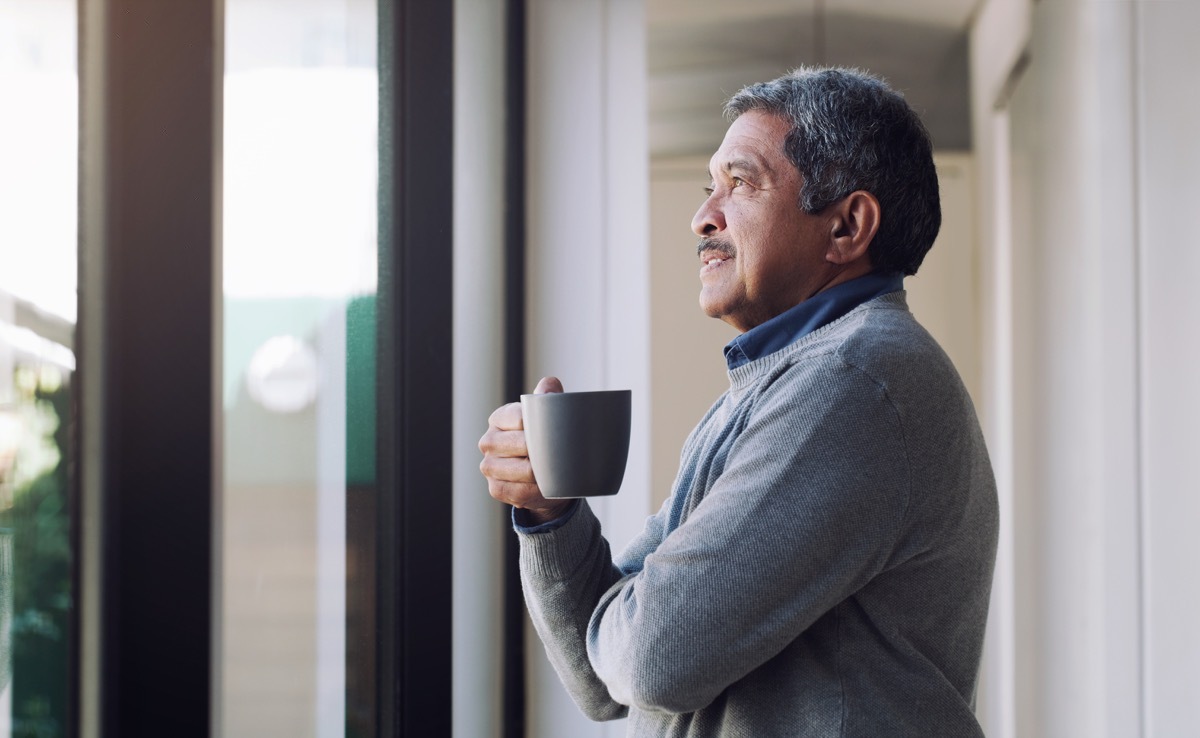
[589, 266]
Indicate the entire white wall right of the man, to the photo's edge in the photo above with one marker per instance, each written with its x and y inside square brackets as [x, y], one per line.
[1085, 182]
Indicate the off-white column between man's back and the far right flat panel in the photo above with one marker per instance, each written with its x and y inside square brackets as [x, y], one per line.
[1064, 369]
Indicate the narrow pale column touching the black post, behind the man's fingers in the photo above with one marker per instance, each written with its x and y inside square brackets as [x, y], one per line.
[479, 349]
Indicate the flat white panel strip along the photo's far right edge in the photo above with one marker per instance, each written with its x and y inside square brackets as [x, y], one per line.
[1169, 155]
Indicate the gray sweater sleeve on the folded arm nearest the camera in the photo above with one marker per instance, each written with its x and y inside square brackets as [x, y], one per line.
[805, 513]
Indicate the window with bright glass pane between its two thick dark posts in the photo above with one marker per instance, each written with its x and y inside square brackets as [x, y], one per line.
[261, 457]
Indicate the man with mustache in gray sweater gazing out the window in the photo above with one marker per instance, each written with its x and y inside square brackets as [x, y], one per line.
[824, 565]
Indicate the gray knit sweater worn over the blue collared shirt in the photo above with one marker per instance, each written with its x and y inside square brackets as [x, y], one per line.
[823, 567]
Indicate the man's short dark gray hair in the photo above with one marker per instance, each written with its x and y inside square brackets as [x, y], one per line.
[851, 131]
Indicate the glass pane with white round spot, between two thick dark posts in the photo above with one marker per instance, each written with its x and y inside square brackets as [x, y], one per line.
[299, 250]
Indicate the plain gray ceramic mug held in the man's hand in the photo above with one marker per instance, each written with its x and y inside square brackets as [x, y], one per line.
[579, 442]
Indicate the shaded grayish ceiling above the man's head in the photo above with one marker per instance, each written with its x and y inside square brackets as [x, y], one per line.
[700, 52]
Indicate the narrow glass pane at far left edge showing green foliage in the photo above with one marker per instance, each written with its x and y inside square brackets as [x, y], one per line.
[39, 145]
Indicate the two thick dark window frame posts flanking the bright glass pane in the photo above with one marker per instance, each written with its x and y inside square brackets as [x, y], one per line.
[148, 472]
